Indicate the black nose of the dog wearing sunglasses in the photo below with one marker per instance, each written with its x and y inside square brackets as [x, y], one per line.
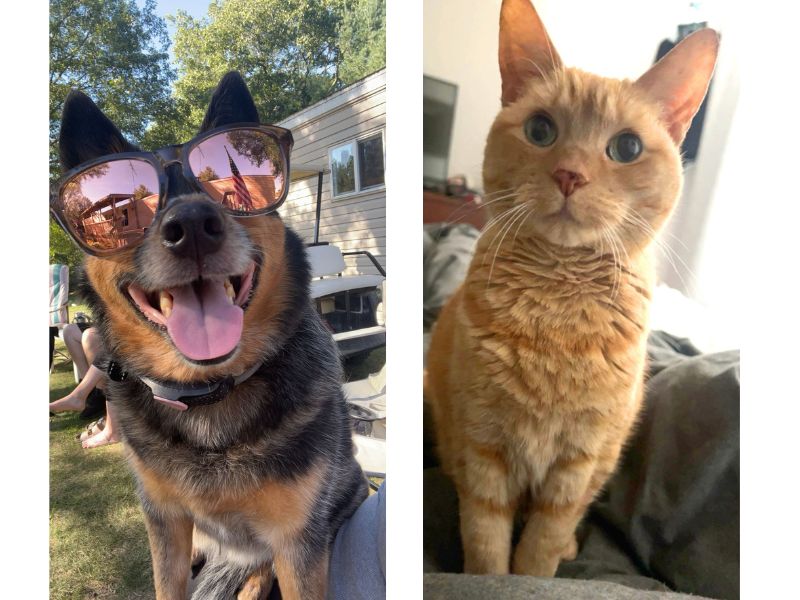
[193, 229]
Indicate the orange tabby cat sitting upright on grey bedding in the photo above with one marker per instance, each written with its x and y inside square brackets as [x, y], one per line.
[536, 366]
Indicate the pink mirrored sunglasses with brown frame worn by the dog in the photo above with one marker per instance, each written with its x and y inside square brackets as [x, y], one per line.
[107, 204]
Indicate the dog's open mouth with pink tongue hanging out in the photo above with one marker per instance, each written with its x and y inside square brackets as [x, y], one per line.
[203, 318]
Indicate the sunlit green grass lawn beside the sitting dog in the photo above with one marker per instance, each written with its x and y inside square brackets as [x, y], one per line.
[98, 543]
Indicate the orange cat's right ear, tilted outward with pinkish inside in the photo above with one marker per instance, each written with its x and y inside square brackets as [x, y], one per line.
[679, 81]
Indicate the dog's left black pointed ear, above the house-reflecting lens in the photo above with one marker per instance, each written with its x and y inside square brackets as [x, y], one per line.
[86, 133]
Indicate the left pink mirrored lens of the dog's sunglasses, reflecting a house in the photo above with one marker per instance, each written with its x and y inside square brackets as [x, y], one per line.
[112, 204]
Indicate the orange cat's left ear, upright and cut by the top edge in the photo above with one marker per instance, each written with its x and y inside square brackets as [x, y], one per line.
[525, 48]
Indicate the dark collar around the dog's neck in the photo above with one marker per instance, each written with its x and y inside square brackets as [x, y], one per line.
[183, 396]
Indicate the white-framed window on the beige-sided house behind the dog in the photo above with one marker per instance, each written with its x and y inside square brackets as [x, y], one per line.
[357, 165]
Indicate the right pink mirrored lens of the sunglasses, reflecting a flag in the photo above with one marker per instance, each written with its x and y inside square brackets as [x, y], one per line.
[242, 169]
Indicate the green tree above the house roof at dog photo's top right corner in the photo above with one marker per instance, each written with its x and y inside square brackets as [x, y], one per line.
[362, 39]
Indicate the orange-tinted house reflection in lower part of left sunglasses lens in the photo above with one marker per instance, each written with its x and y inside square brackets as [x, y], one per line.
[110, 221]
